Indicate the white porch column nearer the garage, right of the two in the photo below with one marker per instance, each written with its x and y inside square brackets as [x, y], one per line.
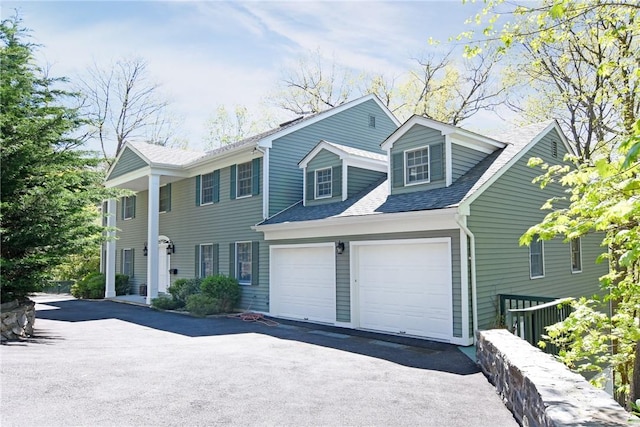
[153, 231]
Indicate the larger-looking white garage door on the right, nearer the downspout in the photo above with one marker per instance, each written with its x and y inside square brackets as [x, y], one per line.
[405, 287]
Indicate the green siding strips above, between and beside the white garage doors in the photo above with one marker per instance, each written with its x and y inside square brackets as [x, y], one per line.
[343, 279]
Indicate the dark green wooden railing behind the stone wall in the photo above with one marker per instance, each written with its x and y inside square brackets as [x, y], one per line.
[527, 316]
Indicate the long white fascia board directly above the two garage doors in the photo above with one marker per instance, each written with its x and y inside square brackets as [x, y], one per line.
[440, 219]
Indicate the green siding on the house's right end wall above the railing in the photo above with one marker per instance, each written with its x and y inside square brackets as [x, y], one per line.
[499, 216]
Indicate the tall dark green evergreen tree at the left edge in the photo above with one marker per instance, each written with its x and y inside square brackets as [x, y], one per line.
[49, 188]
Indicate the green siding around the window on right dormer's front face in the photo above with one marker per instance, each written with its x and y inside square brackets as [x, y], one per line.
[414, 138]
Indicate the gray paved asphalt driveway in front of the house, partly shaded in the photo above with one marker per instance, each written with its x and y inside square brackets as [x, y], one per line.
[102, 363]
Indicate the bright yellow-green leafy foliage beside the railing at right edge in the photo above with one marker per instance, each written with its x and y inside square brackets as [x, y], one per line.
[602, 196]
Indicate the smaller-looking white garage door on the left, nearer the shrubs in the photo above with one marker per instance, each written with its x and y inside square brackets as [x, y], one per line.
[303, 282]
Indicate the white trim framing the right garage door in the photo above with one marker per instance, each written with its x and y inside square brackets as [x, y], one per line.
[354, 277]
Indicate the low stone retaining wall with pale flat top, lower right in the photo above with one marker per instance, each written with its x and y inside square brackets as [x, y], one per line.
[541, 391]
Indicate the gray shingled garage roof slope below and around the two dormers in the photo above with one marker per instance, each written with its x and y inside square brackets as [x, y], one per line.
[376, 199]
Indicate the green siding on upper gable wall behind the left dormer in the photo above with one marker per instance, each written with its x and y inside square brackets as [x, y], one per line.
[349, 127]
